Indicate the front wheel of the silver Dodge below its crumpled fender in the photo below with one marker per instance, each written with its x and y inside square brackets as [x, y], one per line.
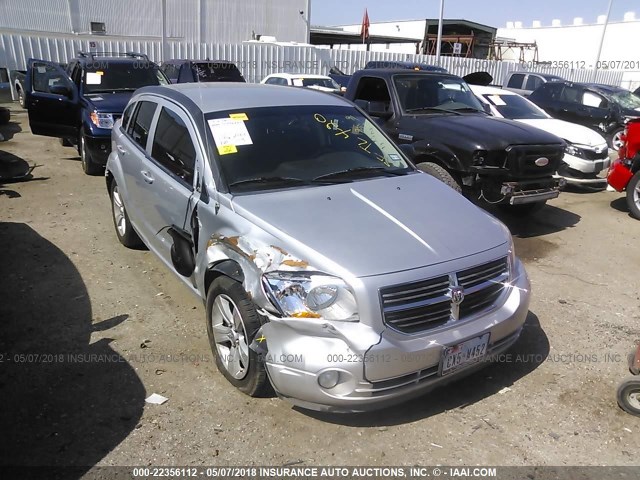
[232, 323]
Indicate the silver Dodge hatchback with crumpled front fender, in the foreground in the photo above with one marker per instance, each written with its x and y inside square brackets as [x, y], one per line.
[331, 269]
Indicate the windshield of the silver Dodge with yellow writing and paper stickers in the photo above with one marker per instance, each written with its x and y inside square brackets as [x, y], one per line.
[284, 147]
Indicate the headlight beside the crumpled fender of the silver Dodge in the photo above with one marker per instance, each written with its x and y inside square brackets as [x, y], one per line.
[311, 295]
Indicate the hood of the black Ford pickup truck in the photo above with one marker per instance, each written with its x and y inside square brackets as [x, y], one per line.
[476, 131]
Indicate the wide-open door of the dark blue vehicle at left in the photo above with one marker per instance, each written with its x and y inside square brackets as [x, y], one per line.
[51, 99]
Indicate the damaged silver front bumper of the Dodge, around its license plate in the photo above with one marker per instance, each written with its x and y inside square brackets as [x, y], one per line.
[351, 367]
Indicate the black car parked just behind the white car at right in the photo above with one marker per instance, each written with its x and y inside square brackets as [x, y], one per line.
[604, 108]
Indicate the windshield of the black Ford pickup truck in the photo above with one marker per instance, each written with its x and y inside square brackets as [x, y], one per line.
[430, 93]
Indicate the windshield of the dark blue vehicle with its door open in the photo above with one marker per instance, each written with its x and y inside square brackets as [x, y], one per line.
[129, 76]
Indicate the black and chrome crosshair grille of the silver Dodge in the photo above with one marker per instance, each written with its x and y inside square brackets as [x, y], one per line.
[426, 304]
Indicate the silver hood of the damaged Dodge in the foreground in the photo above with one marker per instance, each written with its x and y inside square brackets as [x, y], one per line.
[374, 226]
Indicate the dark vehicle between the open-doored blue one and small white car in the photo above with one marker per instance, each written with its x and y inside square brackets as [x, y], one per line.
[188, 71]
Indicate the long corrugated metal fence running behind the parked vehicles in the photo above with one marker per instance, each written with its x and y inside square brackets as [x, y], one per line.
[257, 60]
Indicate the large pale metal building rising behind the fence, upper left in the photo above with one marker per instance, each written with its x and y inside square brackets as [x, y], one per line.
[228, 21]
